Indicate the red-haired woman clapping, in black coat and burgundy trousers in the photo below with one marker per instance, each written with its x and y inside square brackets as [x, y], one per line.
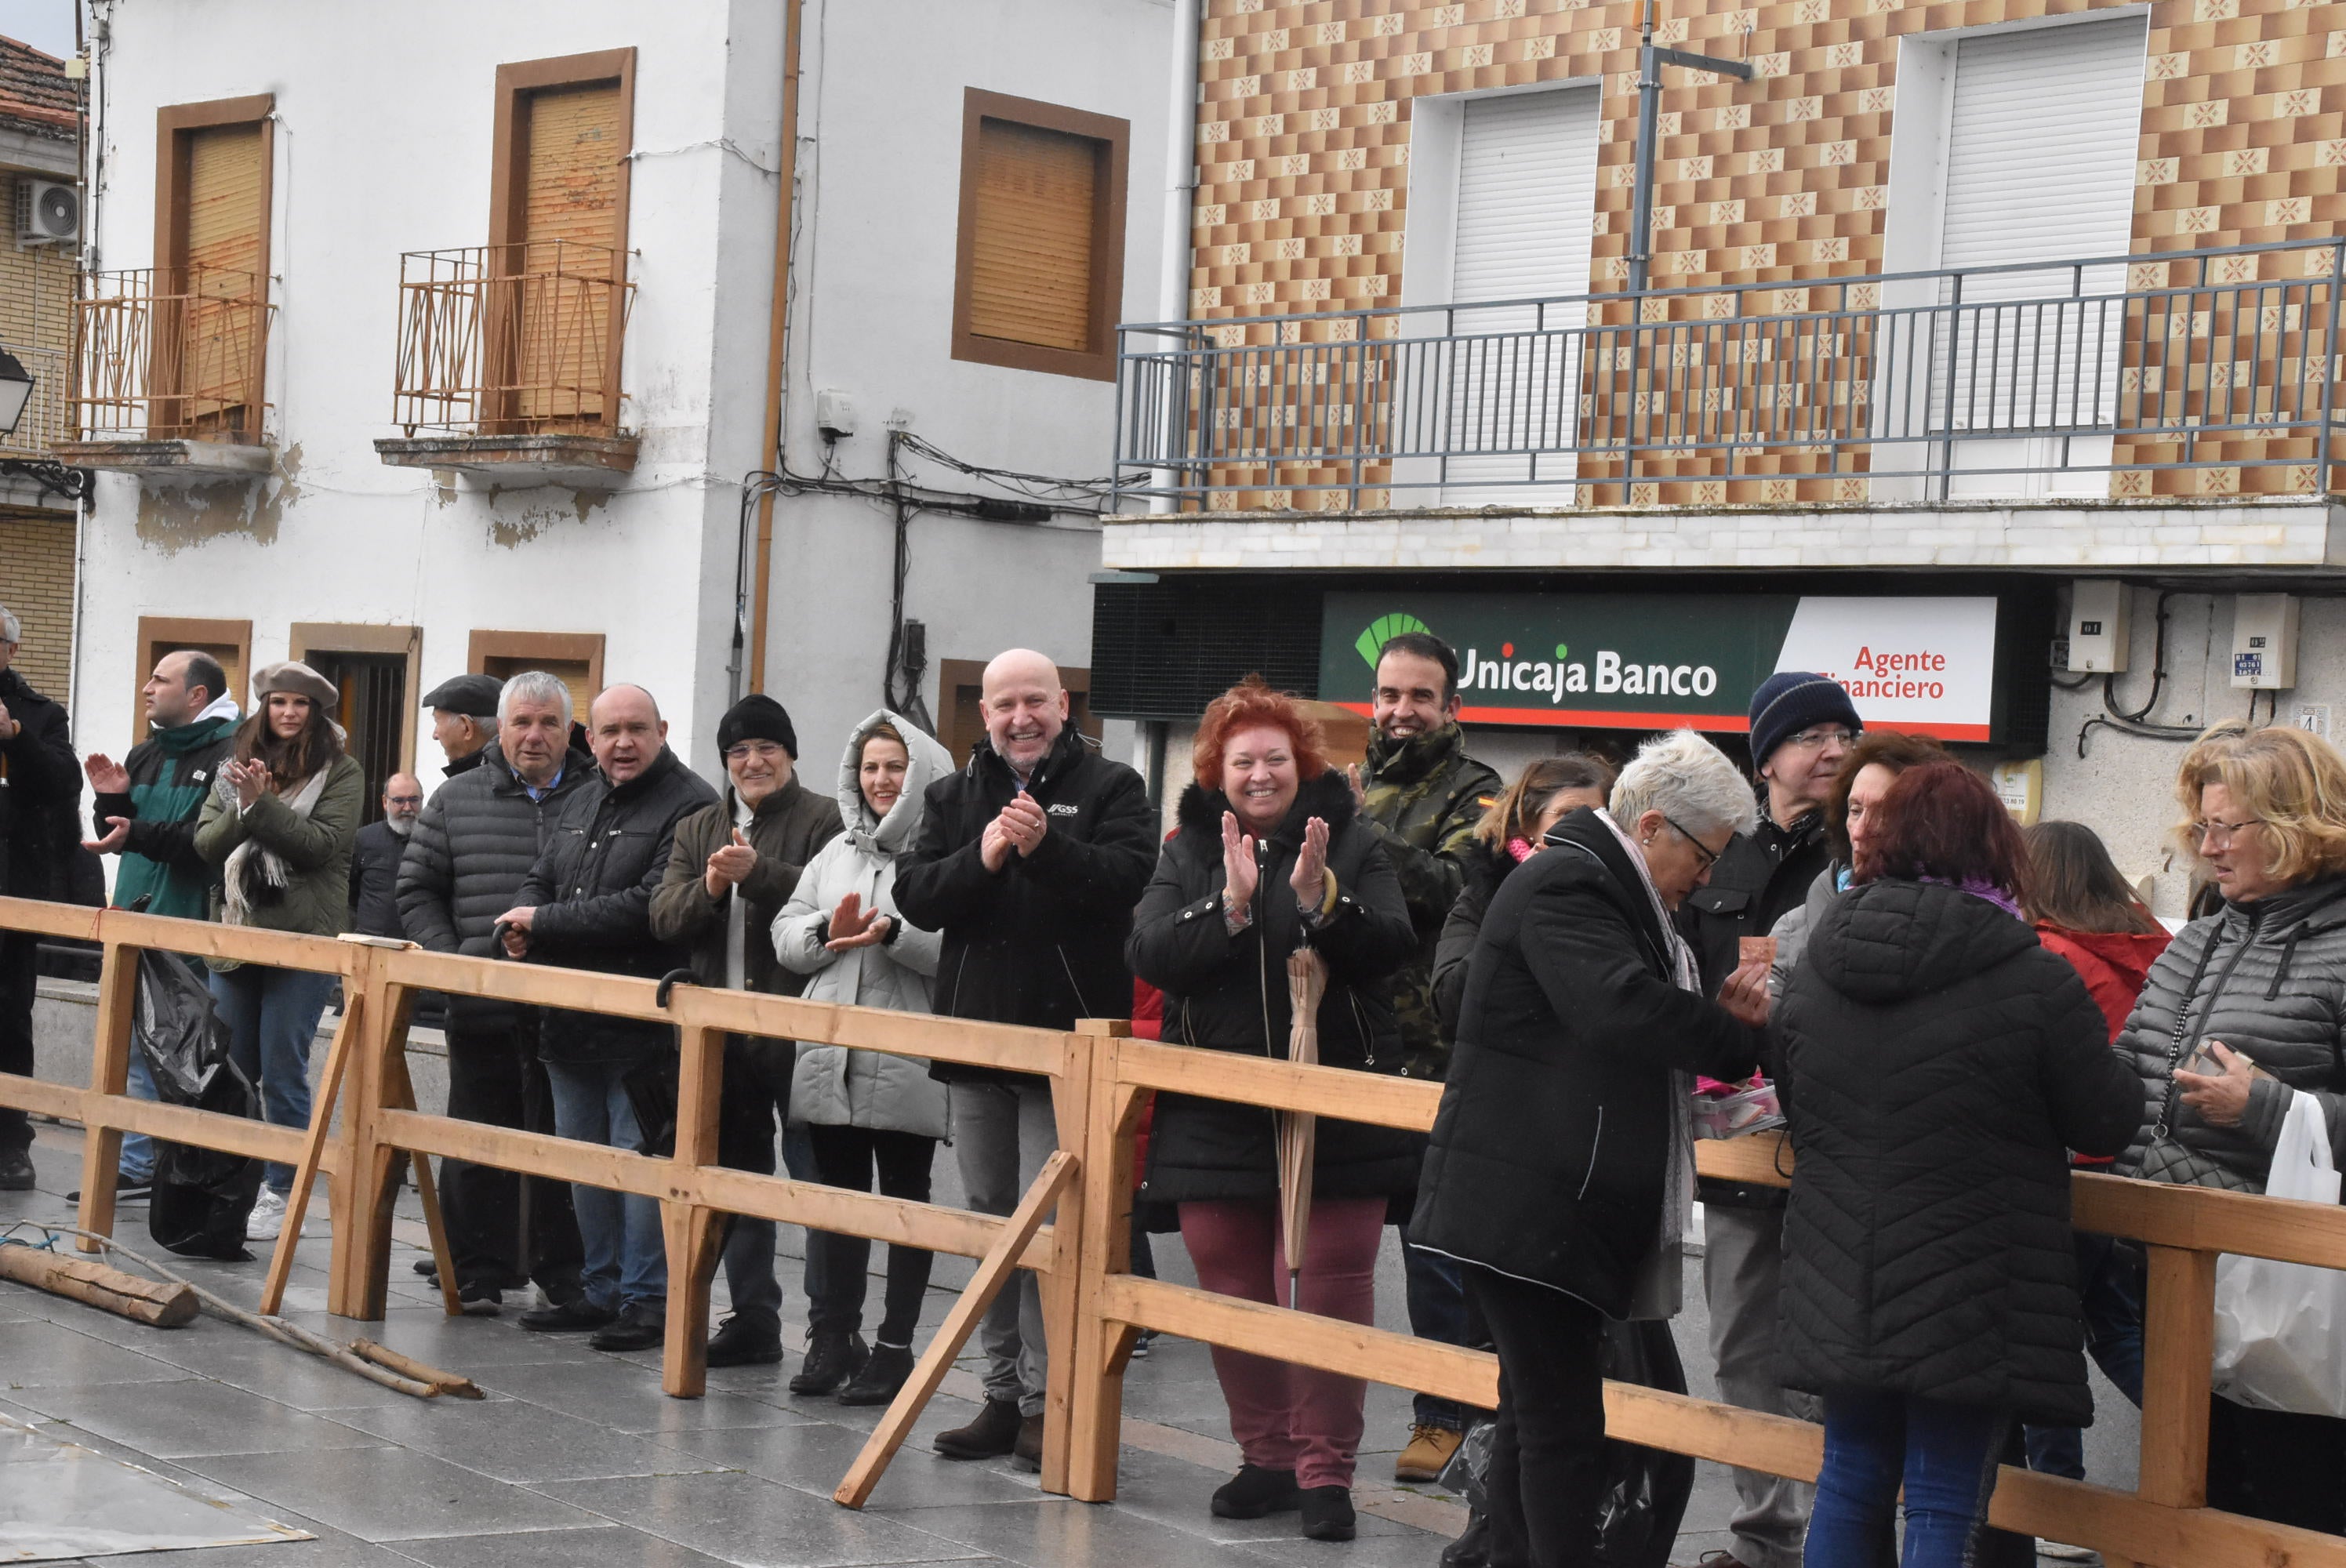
[1270, 858]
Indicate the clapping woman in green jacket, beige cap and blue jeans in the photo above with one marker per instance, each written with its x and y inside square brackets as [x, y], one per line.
[280, 823]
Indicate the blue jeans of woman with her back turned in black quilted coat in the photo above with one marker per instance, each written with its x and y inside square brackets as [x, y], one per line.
[1948, 1459]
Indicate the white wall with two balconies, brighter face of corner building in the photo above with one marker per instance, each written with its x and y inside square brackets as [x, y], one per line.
[395, 156]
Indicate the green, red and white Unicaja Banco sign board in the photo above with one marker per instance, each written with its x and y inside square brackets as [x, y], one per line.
[1667, 661]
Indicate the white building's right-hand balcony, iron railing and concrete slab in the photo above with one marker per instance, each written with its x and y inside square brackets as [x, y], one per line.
[510, 363]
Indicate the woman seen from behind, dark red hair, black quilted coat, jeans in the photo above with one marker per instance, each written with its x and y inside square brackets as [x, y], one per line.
[1939, 1067]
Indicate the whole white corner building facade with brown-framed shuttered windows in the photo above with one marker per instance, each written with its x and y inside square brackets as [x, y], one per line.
[438, 337]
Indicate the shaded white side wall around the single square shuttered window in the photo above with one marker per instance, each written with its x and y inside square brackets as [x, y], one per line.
[881, 168]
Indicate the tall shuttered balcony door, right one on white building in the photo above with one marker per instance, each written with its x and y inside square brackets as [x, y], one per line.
[552, 311]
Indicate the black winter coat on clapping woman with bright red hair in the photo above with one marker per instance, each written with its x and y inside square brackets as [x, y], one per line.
[1230, 994]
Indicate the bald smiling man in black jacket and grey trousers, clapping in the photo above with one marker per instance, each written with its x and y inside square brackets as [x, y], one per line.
[1031, 863]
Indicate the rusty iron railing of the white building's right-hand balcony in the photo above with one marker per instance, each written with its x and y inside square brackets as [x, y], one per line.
[513, 339]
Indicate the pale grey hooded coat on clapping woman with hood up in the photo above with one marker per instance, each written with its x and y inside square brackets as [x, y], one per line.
[836, 1086]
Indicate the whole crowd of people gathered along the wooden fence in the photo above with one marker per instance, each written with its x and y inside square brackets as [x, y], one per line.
[1953, 1015]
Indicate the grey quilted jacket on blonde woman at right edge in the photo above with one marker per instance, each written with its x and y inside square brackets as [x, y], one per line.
[2267, 980]
